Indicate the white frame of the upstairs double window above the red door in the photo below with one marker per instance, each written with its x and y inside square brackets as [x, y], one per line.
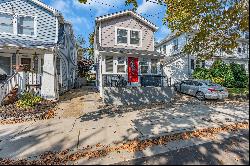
[128, 37]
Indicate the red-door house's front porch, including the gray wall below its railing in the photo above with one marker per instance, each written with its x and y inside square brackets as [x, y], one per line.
[132, 78]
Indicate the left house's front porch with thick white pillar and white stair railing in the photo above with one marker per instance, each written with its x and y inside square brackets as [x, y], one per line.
[28, 69]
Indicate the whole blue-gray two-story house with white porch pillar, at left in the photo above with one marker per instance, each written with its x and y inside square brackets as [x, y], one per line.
[37, 49]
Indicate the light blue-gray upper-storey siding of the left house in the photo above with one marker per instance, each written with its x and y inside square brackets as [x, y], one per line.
[46, 22]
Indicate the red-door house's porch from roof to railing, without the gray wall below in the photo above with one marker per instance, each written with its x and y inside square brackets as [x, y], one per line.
[126, 69]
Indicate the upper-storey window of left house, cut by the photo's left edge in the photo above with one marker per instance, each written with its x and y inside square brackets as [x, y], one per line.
[6, 23]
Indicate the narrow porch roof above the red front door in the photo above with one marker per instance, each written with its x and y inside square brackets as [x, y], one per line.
[131, 51]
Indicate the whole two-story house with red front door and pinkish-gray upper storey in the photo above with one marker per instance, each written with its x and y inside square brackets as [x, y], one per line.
[125, 58]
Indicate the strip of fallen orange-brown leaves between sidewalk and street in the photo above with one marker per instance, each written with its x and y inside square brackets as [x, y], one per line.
[66, 156]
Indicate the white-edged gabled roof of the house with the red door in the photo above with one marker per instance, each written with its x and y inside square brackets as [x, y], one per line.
[127, 12]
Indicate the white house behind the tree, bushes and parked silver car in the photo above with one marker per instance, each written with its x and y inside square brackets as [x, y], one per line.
[180, 67]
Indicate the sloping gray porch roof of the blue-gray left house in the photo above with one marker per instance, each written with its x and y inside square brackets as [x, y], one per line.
[25, 43]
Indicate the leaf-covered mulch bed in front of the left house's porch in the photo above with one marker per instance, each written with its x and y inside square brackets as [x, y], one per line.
[11, 114]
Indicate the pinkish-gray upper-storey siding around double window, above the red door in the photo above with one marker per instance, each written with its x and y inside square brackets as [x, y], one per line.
[108, 32]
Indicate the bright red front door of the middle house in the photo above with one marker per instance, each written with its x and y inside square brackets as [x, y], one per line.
[132, 69]
